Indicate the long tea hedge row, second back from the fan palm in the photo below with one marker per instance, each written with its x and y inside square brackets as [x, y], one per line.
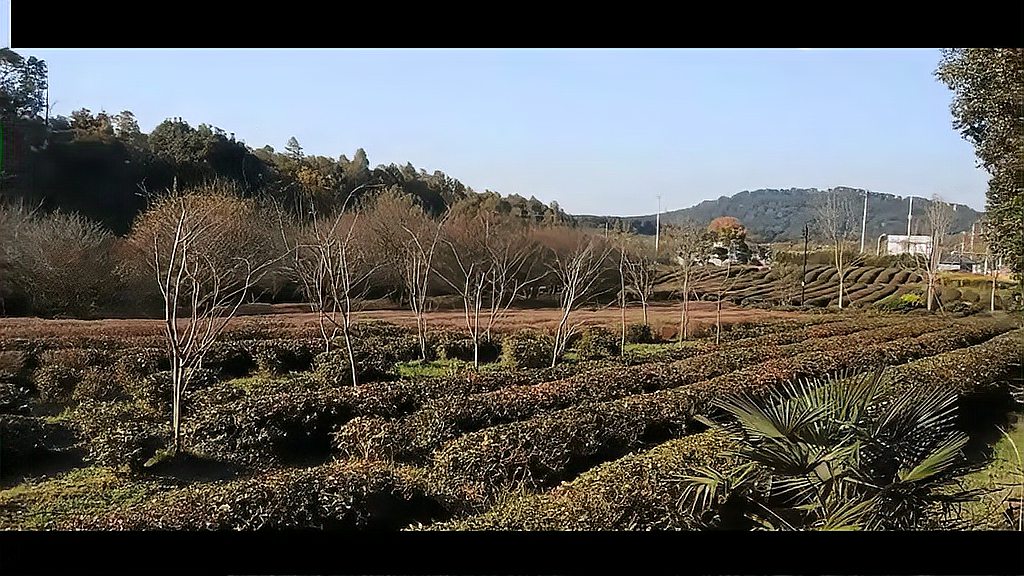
[553, 447]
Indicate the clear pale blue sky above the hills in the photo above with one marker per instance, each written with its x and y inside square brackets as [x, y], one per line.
[601, 132]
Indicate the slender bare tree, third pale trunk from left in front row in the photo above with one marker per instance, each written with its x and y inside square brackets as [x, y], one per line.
[408, 238]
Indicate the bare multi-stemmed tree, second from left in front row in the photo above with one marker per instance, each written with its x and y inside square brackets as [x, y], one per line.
[332, 260]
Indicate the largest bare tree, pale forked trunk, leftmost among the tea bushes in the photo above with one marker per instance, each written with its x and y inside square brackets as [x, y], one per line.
[207, 251]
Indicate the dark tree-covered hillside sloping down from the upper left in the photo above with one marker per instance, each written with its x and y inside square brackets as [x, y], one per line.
[103, 167]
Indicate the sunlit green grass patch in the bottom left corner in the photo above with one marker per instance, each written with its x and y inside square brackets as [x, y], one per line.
[49, 505]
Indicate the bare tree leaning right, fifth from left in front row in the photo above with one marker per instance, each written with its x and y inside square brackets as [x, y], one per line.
[578, 259]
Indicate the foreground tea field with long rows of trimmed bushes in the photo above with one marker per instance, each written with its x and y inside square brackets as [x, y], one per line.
[278, 441]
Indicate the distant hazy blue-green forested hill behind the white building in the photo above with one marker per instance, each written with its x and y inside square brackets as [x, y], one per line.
[779, 216]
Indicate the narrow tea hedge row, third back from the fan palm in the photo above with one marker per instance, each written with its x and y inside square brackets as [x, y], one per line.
[414, 438]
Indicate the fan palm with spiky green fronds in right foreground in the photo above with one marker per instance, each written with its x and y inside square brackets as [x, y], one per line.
[837, 454]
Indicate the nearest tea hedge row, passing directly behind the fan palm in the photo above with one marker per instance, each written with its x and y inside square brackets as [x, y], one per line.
[642, 492]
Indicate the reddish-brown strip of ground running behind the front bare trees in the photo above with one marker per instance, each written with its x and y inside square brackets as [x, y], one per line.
[665, 320]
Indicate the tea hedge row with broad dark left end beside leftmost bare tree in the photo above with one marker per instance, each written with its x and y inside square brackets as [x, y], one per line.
[261, 428]
